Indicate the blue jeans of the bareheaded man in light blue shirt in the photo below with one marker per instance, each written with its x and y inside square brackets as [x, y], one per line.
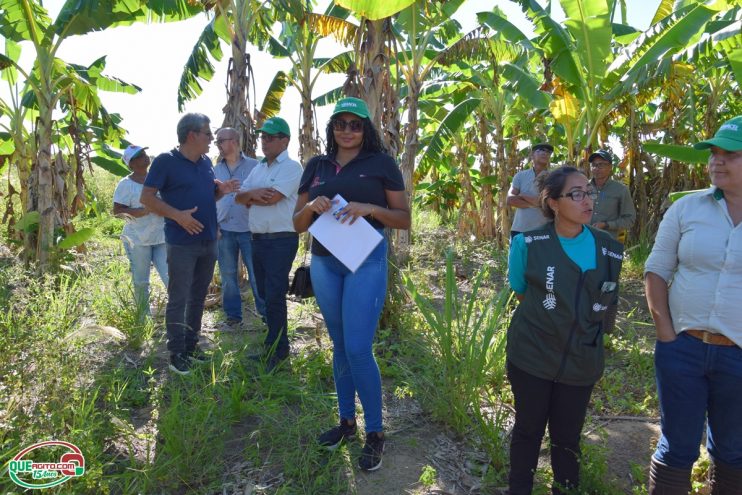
[231, 244]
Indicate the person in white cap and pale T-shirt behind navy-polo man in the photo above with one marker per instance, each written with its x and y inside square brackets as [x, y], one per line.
[143, 235]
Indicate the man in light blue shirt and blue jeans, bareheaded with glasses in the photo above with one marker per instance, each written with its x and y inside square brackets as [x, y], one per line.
[234, 228]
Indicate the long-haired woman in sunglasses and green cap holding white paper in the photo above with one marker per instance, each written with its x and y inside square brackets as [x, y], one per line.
[356, 167]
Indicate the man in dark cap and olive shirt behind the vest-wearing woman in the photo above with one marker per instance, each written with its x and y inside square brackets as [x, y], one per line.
[613, 211]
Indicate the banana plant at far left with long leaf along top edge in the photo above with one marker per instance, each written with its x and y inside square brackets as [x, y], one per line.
[55, 85]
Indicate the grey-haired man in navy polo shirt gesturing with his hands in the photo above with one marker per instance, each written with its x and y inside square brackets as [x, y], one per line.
[185, 180]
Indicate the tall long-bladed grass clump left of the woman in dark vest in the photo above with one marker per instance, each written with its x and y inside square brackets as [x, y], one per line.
[465, 338]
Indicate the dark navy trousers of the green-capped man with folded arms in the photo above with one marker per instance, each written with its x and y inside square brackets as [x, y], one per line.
[272, 260]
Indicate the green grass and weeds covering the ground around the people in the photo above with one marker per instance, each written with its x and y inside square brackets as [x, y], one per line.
[68, 375]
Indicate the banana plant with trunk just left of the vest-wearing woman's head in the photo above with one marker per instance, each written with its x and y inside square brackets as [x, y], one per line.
[489, 86]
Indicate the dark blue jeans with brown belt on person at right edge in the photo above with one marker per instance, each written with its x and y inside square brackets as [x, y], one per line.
[696, 382]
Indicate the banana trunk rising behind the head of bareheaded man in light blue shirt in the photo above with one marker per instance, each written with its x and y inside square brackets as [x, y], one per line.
[237, 111]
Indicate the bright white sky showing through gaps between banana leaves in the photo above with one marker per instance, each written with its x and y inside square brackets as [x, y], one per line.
[152, 57]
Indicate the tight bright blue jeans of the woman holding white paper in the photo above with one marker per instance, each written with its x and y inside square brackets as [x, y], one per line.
[351, 305]
